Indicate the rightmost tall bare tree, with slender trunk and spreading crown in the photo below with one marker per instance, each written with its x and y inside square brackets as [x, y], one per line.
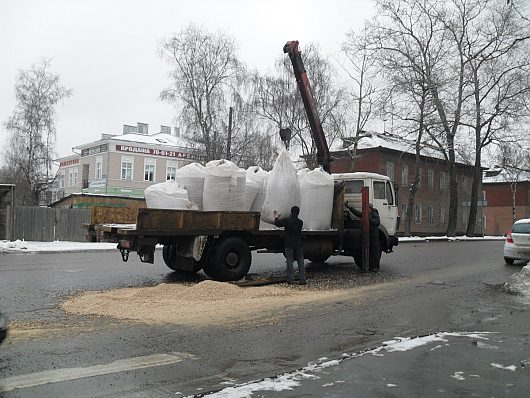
[497, 59]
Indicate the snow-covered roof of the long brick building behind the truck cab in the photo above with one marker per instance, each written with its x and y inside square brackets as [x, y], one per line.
[370, 140]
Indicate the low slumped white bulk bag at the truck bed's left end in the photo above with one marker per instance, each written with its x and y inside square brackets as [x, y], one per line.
[166, 195]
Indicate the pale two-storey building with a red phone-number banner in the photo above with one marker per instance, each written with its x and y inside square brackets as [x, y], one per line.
[124, 164]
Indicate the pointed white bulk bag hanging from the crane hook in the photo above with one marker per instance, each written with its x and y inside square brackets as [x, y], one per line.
[283, 189]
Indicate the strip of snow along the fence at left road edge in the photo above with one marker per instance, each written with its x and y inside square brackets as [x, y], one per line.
[20, 246]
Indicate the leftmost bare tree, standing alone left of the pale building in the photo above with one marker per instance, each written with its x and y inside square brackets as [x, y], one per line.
[32, 126]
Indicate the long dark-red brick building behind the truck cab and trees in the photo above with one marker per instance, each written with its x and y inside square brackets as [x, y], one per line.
[395, 157]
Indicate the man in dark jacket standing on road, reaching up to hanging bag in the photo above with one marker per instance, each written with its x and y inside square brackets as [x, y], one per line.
[292, 243]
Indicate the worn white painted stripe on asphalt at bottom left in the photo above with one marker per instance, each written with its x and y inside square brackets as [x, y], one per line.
[121, 365]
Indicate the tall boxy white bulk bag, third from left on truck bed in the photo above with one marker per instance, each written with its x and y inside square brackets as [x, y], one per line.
[224, 186]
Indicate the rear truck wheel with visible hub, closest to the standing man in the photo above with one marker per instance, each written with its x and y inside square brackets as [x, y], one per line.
[228, 260]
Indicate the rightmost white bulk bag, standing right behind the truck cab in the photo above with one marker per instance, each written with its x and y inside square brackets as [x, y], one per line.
[316, 188]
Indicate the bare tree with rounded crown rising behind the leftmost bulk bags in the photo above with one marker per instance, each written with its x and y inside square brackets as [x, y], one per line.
[206, 74]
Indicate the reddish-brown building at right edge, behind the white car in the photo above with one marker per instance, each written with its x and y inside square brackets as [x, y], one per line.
[498, 188]
